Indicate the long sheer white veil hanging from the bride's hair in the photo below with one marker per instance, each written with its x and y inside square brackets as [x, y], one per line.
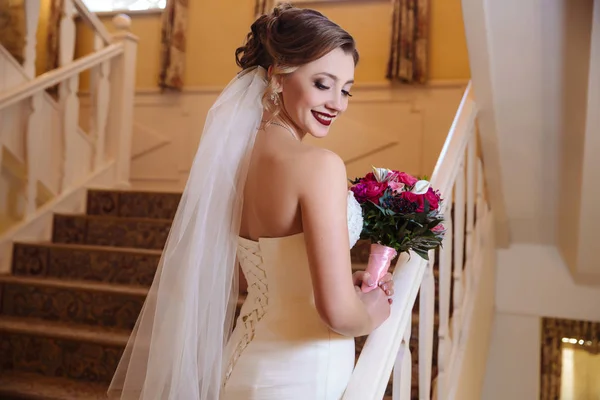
[175, 351]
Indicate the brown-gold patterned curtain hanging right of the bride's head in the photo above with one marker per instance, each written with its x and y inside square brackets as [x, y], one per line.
[408, 52]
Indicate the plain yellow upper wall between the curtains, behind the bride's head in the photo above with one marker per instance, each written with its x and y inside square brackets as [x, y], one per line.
[216, 28]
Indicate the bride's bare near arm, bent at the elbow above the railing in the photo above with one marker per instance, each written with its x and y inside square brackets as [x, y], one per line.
[323, 203]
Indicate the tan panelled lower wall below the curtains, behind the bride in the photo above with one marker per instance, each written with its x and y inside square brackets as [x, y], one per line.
[388, 123]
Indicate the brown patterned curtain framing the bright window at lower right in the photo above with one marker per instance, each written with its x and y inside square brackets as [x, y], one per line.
[553, 331]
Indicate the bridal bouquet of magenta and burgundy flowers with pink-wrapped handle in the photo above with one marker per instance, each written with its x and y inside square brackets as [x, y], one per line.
[400, 213]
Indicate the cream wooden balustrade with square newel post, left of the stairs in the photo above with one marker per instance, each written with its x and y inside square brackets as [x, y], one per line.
[56, 151]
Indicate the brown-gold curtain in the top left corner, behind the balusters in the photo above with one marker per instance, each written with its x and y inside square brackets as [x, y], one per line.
[12, 27]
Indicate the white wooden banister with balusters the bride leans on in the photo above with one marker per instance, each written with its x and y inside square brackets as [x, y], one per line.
[458, 175]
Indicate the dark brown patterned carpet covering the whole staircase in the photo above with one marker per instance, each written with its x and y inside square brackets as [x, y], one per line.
[68, 307]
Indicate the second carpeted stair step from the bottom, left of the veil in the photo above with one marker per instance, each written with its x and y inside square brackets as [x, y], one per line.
[54, 349]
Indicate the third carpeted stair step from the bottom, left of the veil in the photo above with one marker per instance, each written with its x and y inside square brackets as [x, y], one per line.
[71, 301]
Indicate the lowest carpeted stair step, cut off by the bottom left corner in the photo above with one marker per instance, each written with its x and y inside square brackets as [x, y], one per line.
[29, 386]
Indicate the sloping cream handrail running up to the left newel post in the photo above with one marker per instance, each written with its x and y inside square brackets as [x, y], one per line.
[51, 78]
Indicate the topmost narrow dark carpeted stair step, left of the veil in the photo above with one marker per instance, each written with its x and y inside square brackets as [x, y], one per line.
[131, 204]
